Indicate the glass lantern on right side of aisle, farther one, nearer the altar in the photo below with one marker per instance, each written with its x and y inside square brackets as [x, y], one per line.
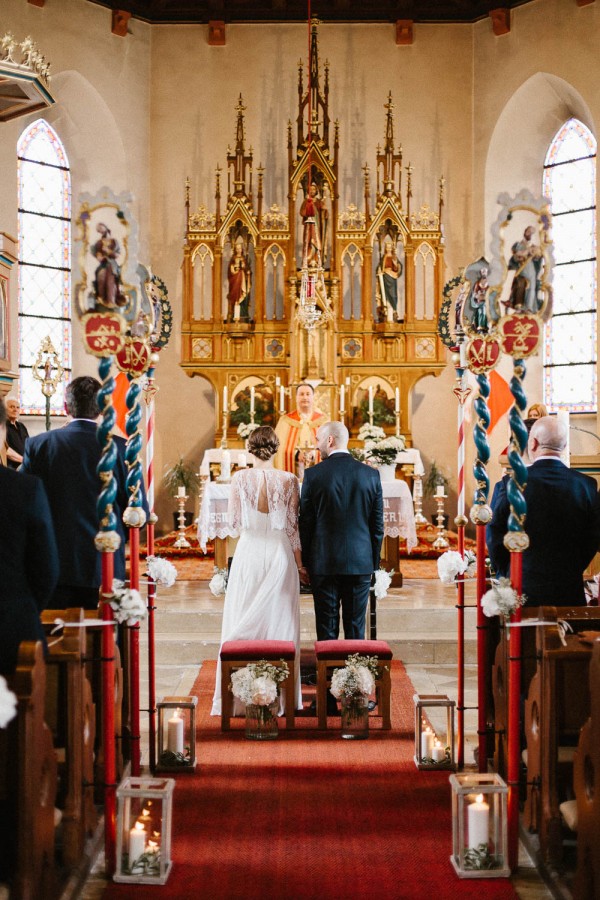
[434, 732]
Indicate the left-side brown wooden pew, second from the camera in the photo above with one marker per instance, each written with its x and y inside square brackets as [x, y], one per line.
[70, 715]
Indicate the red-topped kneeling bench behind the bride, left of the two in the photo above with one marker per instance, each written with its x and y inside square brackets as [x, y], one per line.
[237, 654]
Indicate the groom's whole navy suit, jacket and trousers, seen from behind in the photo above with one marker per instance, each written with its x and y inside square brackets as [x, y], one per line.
[341, 530]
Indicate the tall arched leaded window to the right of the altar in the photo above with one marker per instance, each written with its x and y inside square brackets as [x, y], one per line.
[570, 336]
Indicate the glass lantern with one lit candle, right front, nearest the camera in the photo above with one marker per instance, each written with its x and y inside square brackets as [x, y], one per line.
[479, 826]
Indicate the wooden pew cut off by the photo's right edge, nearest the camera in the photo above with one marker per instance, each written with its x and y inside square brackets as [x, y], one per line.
[586, 777]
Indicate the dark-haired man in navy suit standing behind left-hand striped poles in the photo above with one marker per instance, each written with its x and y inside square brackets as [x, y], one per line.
[66, 460]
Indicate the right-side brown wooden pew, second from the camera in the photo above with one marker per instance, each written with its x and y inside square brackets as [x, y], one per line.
[556, 708]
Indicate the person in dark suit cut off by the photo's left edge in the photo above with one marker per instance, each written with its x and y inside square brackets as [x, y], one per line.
[28, 559]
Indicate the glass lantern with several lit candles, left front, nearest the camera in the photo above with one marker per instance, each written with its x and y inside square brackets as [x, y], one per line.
[144, 807]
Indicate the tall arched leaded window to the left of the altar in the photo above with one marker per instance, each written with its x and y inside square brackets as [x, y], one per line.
[44, 186]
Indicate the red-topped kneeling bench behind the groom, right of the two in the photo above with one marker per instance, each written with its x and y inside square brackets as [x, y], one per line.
[333, 655]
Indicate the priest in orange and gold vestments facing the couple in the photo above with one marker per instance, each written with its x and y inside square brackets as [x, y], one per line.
[297, 433]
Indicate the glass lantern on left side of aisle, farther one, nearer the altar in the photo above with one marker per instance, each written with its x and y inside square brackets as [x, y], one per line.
[176, 734]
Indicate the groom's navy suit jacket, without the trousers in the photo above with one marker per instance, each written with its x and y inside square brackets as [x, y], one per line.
[341, 517]
